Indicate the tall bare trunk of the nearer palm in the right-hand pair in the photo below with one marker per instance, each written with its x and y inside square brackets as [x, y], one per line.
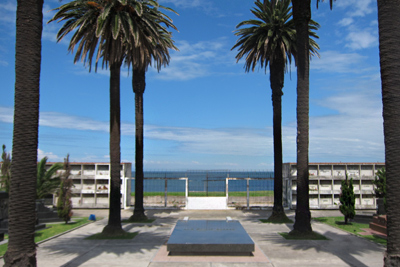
[302, 16]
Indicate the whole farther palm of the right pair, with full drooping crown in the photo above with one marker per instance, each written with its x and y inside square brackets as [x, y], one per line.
[271, 39]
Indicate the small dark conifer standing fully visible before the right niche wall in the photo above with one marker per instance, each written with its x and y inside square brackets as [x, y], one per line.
[347, 199]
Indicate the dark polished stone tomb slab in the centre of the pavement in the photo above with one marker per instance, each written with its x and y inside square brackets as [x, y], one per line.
[210, 237]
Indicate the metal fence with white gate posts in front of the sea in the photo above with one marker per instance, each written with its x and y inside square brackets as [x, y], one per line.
[172, 189]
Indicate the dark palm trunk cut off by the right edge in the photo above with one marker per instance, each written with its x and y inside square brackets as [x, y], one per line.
[389, 38]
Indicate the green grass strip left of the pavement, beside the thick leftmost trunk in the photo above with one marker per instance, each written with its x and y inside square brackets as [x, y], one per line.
[51, 230]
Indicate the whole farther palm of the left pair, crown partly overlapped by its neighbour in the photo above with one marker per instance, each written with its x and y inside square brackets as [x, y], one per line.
[150, 46]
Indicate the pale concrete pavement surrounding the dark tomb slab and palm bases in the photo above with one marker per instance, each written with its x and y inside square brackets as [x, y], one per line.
[146, 249]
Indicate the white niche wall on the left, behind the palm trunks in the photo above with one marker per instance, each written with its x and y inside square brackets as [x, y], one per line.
[92, 184]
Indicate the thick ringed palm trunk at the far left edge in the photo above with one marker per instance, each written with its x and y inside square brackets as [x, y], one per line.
[22, 216]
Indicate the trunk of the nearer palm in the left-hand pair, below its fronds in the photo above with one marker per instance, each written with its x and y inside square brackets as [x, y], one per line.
[114, 219]
